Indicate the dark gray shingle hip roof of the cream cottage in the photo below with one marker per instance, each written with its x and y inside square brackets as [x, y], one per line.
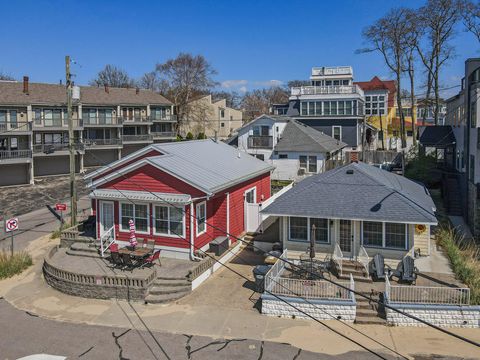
[368, 193]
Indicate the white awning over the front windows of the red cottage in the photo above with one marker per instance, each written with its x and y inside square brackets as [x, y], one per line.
[169, 198]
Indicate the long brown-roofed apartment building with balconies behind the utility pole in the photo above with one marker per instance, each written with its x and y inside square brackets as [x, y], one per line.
[109, 123]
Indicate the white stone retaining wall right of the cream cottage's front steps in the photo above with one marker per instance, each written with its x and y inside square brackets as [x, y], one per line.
[440, 315]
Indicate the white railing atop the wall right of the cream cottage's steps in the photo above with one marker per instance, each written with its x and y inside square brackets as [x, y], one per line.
[434, 295]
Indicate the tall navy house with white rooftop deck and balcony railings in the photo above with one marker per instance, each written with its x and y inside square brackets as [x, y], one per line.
[332, 104]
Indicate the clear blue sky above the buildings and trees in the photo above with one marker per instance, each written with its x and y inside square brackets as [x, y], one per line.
[249, 43]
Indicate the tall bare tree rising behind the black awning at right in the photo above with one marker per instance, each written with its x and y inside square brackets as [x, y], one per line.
[437, 19]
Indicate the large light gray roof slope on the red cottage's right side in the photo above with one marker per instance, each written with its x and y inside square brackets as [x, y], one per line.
[207, 164]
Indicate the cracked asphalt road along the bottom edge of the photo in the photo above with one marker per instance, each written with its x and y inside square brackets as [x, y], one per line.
[25, 334]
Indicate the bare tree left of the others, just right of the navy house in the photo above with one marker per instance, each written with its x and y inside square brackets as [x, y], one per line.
[388, 36]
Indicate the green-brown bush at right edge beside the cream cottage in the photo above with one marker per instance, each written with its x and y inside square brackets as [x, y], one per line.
[464, 257]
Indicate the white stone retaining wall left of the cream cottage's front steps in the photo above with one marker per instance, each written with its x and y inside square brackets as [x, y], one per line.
[320, 309]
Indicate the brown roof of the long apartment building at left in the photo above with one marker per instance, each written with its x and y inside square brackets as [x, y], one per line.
[11, 93]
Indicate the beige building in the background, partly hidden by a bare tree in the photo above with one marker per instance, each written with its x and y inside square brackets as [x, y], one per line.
[212, 118]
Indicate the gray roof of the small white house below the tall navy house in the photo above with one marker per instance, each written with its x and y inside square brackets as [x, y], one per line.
[300, 137]
